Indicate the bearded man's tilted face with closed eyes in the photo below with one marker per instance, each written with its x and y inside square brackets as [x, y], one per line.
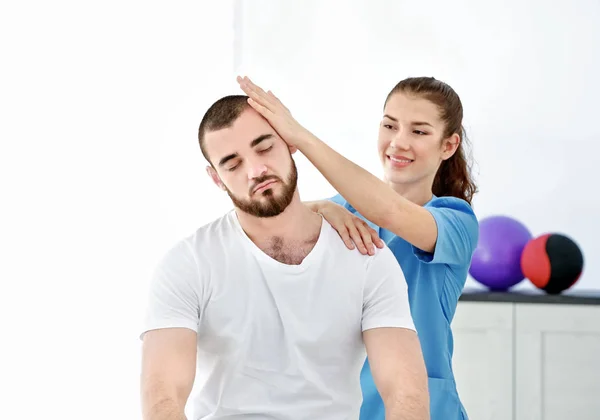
[253, 164]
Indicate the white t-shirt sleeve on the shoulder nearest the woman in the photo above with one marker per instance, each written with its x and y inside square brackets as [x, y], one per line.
[385, 296]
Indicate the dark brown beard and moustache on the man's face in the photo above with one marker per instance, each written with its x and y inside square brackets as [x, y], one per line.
[269, 204]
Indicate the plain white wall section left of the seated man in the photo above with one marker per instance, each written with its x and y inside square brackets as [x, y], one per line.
[100, 172]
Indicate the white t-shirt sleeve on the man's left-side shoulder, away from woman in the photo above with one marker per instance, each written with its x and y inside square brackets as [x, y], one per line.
[174, 295]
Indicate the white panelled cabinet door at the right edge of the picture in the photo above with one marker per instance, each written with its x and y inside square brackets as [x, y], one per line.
[557, 362]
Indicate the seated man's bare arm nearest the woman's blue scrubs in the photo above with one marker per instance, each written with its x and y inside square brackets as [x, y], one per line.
[399, 372]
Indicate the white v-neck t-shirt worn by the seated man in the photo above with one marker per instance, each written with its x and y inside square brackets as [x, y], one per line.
[276, 341]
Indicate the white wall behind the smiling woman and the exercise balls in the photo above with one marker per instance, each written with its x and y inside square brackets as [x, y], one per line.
[525, 70]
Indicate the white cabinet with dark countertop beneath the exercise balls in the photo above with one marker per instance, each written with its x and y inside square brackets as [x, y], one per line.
[528, 357]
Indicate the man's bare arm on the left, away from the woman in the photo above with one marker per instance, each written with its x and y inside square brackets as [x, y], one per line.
[168, 372]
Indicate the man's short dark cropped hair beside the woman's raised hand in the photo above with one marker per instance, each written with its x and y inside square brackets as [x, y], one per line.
[221, 114]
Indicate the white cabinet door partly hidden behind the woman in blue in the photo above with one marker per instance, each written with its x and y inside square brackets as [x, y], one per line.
[483, 358]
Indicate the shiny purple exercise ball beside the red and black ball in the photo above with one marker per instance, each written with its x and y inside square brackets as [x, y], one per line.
[496, 261]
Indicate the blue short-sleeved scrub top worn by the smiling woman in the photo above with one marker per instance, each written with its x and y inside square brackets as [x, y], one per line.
[435, 282]
